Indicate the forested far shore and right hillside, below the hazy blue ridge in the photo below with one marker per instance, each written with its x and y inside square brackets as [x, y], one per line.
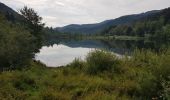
[155, 26]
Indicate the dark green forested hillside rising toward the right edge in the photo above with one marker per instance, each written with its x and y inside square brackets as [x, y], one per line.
[157, 26]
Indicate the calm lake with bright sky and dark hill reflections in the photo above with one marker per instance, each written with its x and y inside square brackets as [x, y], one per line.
[64, 52]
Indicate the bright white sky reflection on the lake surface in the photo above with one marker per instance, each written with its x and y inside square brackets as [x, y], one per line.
[59, 55]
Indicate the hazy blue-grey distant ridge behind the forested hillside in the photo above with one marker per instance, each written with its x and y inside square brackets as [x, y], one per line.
[97, 27]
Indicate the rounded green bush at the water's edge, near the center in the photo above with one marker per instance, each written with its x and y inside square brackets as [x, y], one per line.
[100, 61]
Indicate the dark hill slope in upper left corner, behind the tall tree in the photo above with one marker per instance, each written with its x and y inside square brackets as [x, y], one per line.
[9, 13]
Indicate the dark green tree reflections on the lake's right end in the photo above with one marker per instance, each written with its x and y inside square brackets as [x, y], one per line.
[139, 44]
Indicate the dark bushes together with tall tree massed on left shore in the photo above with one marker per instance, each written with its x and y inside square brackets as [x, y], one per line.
[19, 41]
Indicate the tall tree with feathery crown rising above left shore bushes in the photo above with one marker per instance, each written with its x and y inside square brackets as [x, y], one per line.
[34, 25]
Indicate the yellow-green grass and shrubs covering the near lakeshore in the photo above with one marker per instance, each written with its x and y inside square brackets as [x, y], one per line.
[102, 76]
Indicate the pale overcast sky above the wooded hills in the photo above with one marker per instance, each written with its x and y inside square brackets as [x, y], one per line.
[57, 13]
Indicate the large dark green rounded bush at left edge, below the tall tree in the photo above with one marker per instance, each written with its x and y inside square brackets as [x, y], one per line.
[17, 45]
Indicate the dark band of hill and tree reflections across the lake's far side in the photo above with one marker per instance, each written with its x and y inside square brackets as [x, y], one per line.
[119, 46]
